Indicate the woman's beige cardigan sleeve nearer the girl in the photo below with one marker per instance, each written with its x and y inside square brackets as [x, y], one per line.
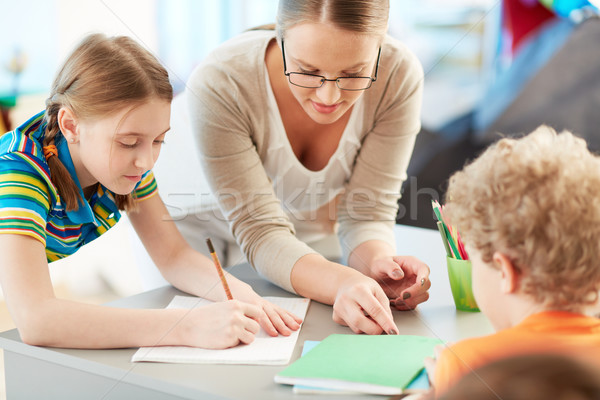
[225, 117]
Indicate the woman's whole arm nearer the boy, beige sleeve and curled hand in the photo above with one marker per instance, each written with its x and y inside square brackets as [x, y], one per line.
[367, 211]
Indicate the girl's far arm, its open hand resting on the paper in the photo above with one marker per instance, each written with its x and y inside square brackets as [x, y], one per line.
[193, 272]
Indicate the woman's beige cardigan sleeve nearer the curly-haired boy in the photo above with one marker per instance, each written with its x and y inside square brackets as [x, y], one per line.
[368, 208]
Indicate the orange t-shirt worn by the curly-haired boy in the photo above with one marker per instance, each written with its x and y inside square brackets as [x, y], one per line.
[556, 331]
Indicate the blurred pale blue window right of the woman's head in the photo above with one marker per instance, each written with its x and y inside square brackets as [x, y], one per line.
[456, 41]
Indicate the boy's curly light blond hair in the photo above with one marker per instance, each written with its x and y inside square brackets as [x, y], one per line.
[536, 200]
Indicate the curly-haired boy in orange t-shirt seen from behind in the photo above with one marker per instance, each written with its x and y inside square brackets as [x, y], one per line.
[528, 210]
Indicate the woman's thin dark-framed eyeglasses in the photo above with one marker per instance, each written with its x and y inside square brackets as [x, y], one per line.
[311, 81]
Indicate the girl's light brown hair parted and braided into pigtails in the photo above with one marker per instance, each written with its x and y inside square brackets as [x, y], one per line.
[102, 74]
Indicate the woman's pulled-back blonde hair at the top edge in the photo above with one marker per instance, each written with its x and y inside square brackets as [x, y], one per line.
[360, 16]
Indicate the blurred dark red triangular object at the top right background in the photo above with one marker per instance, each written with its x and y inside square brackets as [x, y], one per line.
[521, 17]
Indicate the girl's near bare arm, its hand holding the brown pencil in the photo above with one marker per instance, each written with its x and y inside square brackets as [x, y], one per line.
[44, 320]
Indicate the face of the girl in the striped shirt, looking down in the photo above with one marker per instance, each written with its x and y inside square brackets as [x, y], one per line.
[116, 150]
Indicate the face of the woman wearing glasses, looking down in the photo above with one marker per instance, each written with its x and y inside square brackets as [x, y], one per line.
[322, 49]
